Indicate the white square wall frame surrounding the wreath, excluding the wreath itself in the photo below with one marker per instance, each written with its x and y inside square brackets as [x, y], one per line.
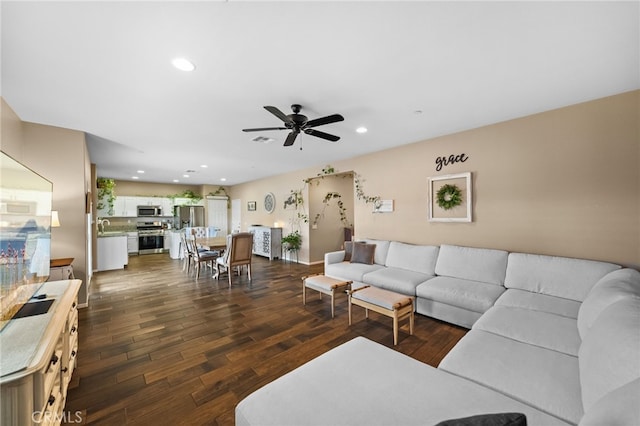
[459, 213]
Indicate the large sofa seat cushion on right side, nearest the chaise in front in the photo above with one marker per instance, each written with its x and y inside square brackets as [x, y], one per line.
[545, 379]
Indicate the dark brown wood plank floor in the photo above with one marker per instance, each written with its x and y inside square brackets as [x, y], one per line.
[157, 347]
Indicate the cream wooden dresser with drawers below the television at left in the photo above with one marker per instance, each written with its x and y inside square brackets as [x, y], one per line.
[38, 358]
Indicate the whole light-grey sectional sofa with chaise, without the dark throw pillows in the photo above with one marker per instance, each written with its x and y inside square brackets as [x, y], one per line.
[554, 338]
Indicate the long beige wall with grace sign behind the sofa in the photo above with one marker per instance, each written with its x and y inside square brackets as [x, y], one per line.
[564, 182]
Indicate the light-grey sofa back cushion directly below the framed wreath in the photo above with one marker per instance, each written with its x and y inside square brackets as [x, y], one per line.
[477, 264]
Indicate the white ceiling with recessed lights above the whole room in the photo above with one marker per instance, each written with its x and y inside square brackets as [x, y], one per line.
[105, 68]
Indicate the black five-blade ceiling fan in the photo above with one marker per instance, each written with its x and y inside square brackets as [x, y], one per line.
[297, 123]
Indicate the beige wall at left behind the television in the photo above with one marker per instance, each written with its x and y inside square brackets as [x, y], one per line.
[61, 156]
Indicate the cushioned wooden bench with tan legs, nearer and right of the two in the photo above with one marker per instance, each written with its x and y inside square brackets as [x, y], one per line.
[385, 302]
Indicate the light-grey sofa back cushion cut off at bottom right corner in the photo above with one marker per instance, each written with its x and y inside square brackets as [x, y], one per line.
[617, 408]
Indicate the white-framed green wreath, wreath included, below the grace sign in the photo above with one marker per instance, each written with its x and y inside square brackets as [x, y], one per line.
[450, 198]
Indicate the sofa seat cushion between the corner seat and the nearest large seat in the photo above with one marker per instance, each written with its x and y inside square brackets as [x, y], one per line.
[532, 327]
